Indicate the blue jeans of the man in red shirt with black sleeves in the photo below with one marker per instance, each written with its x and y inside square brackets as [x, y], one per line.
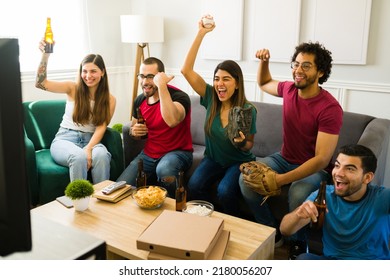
[168, 165]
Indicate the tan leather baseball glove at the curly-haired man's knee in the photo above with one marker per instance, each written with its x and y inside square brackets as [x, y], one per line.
[261, 178]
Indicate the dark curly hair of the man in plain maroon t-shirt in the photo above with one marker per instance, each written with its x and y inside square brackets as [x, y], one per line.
[323, 58]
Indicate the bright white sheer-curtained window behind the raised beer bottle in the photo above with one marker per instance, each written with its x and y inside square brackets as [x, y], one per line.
[26, 20]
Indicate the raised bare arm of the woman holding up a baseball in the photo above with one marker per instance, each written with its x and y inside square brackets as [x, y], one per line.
[197, 83]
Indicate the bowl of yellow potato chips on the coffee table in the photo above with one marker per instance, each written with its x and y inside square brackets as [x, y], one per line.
[149, 197]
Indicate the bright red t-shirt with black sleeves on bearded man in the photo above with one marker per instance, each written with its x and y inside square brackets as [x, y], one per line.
[162, 138]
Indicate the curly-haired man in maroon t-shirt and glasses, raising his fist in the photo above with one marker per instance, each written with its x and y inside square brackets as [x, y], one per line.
[312, 119]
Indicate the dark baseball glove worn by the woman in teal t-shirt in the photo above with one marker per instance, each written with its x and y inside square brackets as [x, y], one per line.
[240, 119]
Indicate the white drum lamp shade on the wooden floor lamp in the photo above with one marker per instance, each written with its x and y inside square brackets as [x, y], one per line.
[142, 29]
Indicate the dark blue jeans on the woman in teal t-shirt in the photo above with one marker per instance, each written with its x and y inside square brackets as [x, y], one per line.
[228, 190]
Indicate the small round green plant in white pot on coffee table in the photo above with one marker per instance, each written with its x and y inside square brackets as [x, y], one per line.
[80, 192]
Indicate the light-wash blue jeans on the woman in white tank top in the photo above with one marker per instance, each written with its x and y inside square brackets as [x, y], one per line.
[67, 149]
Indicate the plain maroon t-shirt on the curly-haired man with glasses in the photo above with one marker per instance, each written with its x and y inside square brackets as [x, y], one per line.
[304, 118]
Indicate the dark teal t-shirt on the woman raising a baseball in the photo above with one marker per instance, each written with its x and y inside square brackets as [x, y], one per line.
[218, 146]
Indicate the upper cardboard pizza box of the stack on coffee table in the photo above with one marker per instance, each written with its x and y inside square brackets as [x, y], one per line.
[181, 235]
